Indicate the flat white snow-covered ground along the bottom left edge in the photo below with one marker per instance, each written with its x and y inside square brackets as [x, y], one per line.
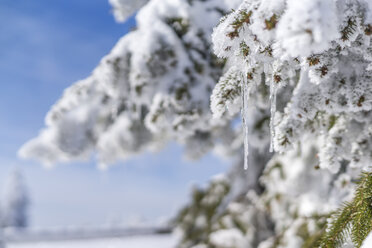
[147, 241]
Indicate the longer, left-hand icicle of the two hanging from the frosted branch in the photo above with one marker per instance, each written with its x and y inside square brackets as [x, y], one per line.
[244, 113]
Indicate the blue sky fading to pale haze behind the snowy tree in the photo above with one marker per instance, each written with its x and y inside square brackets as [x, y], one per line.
[45, 46]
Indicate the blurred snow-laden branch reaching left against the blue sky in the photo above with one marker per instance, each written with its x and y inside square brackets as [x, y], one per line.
[153, 87]
